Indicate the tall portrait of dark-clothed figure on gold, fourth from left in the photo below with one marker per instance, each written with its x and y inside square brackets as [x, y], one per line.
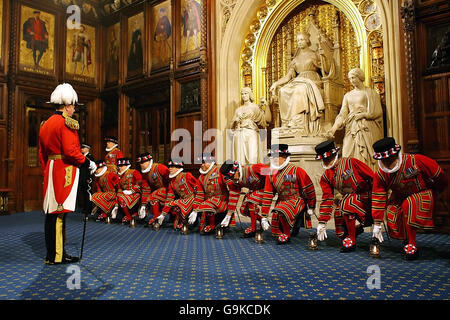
[135, 58]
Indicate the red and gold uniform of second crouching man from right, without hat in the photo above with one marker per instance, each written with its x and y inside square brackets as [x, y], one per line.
[353, 180]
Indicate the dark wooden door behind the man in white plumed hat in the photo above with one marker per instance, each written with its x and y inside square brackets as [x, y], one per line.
[33, 175]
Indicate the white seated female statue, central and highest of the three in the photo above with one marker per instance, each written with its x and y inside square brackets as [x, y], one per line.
[300, 99]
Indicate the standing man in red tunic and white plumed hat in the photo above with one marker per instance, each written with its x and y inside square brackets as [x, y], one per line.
[60, 156]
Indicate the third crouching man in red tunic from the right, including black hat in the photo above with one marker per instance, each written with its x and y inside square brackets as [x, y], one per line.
[296, 194]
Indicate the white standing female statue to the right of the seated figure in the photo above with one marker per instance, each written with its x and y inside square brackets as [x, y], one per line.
[362, 116]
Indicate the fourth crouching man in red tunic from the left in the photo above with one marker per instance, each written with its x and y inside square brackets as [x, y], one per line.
[184, 194]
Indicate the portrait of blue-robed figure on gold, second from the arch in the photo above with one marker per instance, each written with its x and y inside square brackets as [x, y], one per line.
[161, 38]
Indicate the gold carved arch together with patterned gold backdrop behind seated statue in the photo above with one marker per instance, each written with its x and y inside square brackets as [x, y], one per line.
[334, 25]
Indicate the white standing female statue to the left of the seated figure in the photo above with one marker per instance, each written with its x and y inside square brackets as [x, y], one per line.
[247, 120]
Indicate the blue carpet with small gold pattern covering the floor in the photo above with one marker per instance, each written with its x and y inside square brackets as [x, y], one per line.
[124, 263]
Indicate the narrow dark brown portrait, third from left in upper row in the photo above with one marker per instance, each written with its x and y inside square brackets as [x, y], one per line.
[112, 53]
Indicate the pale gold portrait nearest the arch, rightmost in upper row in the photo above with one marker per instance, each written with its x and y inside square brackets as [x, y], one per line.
[190, 29]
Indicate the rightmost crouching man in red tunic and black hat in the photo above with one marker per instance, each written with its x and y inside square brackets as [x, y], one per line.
[415, 182]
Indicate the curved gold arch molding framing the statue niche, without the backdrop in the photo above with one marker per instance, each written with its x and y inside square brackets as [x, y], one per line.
[362, 14]
